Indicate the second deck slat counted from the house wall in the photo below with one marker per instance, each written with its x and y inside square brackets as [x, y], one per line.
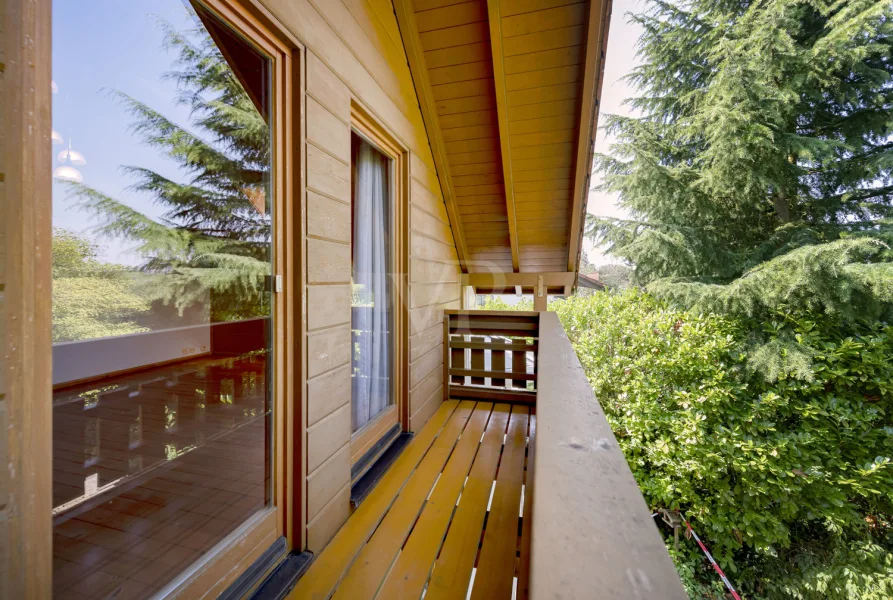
[372, 564]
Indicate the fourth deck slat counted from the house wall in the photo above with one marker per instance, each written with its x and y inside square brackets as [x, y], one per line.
[452, 570]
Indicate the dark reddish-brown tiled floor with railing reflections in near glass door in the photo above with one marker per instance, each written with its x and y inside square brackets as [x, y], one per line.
[152, 472]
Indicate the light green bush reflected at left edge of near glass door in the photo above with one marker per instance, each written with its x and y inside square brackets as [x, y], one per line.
[91, 299]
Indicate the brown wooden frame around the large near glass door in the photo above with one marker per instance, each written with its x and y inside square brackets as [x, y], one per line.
[25, 163]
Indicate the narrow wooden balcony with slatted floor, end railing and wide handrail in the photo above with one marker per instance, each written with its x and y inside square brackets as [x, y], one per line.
[515, 488]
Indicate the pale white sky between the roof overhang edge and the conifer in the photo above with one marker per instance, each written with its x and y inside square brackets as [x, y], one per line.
[620, 60]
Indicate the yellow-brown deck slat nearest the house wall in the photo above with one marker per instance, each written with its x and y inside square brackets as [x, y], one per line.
[327, 570]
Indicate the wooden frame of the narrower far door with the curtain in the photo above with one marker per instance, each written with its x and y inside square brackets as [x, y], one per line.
[369, 128]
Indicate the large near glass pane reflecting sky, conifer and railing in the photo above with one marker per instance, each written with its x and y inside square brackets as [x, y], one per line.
[162, 308]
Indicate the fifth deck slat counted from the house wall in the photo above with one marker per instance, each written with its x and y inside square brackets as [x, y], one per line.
[496, 564]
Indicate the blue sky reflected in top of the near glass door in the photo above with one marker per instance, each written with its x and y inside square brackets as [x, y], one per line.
[99, 46]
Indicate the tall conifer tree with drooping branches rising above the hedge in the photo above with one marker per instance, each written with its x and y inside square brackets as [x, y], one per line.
[759, 172]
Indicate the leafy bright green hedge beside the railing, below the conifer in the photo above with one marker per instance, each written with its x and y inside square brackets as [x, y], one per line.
[788, 475]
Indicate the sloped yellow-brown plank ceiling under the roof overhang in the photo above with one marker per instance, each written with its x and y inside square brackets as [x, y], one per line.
[509, 93]
